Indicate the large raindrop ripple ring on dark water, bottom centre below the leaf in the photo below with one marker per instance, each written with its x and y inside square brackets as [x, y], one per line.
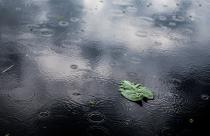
[95, 117]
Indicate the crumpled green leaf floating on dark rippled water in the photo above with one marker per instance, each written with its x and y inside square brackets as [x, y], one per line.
[134, 92]
